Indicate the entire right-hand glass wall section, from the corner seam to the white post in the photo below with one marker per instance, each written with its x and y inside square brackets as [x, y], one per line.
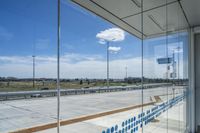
[164, 57]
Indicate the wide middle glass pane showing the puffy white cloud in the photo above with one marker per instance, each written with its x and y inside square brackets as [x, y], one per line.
[100, 73]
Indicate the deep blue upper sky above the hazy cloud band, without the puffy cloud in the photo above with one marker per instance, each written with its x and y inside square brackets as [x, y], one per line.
[29, 23]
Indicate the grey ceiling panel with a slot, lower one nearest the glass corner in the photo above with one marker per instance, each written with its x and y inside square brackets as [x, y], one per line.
[154, 21]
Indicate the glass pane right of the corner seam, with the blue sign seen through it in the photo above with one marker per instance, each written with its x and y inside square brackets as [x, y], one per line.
[155, 69]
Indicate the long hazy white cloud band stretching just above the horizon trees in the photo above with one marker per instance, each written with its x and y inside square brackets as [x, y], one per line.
[90, 66]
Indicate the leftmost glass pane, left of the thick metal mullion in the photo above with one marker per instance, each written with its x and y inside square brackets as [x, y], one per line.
[27, 63]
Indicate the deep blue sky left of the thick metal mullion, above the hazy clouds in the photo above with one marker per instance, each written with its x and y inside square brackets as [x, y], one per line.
[27, 22]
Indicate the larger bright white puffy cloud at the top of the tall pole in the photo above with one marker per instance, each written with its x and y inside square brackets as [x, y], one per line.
[112, 34]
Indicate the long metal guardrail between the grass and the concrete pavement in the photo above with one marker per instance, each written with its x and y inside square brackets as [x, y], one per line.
[50, 93]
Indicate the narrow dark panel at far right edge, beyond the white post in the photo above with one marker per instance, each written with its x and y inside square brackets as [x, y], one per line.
[197, 78]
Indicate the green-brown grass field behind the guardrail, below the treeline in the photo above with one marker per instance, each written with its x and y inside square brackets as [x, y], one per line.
[28, 85]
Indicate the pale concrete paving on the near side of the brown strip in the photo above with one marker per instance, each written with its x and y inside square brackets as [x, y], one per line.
[174, 124]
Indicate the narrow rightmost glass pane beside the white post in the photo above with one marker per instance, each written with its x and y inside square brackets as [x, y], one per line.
[177, 49]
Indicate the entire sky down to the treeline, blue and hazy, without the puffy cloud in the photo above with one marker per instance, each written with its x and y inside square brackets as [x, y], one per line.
[29, 27]
